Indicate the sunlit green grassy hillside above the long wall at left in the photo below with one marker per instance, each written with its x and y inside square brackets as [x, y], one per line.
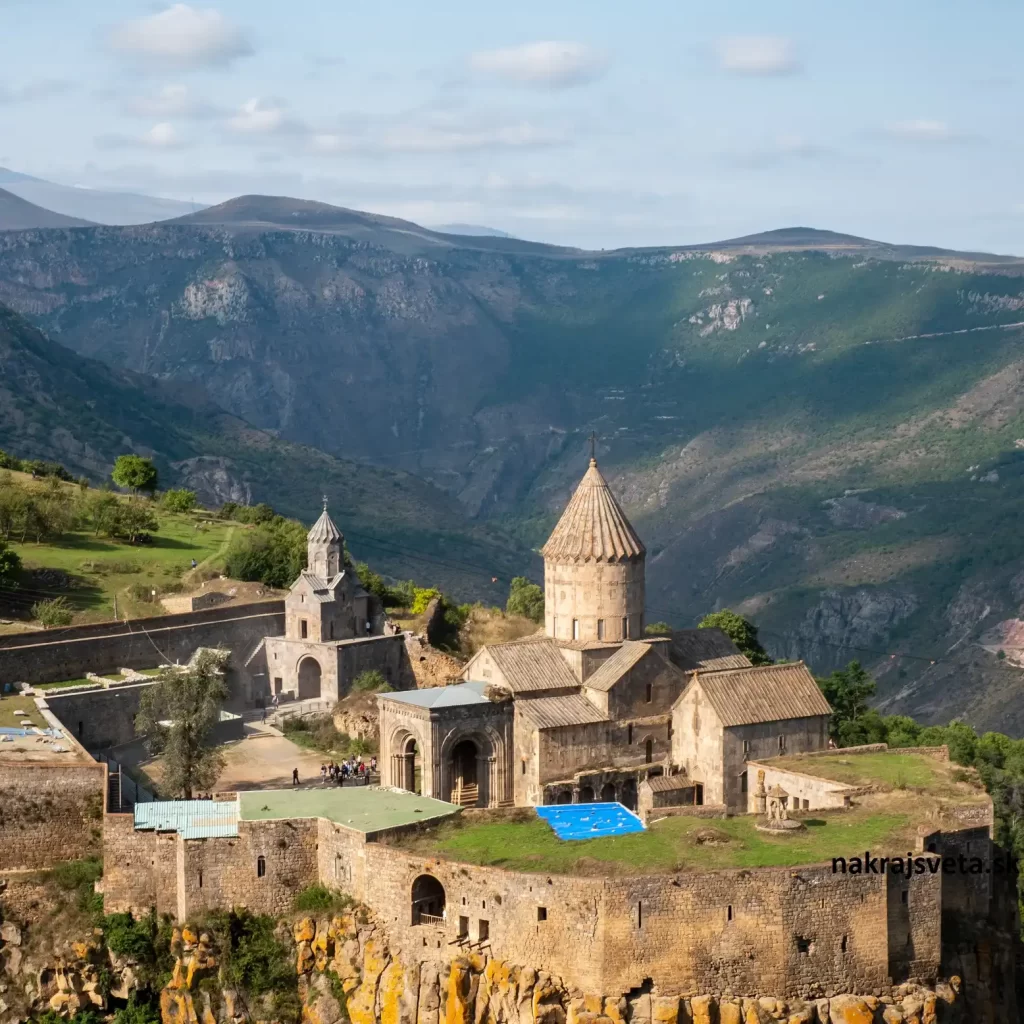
[102, 568]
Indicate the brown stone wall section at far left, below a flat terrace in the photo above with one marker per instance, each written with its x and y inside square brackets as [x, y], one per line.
[50, 813]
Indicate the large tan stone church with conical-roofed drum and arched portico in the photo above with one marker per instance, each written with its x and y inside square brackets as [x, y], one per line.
[591, 709]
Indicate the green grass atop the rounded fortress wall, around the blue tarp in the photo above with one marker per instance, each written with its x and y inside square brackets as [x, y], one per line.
[670, 845]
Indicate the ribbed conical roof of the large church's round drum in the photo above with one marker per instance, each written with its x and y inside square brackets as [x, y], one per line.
[593, 528]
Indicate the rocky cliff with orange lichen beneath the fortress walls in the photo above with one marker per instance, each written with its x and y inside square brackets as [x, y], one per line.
[346, 971]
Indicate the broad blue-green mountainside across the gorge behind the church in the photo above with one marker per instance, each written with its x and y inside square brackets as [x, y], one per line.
[824, 432]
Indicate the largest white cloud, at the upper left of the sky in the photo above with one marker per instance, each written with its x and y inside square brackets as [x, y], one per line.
[183, 36]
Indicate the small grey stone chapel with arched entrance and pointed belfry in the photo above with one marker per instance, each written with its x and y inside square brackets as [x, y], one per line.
[326, 614]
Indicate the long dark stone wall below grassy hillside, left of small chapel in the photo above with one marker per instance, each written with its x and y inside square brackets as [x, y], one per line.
[69, 653]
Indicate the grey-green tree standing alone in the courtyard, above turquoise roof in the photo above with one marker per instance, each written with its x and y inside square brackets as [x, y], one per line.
[191, 703]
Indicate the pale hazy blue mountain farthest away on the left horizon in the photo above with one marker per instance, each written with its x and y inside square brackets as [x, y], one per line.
[94, 205]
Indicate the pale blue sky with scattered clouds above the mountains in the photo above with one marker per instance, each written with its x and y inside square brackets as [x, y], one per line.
[598, 123]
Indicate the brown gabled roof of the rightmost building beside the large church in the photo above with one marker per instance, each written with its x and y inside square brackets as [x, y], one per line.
[769, 694]
